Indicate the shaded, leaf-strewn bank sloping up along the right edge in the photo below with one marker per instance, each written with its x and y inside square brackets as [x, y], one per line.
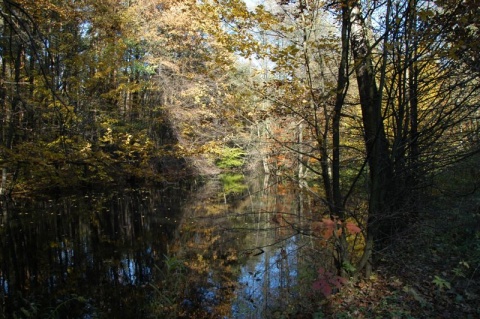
[431, 271]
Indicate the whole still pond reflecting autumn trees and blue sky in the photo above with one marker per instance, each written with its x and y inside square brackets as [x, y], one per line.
[220, 249]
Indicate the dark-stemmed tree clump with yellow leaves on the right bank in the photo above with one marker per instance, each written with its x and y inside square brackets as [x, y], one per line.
[409, 102]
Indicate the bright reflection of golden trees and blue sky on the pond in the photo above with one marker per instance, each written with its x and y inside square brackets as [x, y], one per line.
[255, 248]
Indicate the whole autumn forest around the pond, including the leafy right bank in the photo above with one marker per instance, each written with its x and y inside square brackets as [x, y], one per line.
[369, 107]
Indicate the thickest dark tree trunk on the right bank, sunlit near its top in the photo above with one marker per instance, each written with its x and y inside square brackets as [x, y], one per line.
[376, 143]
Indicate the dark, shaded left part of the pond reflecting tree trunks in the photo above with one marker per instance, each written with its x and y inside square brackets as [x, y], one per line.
[84, 256]
